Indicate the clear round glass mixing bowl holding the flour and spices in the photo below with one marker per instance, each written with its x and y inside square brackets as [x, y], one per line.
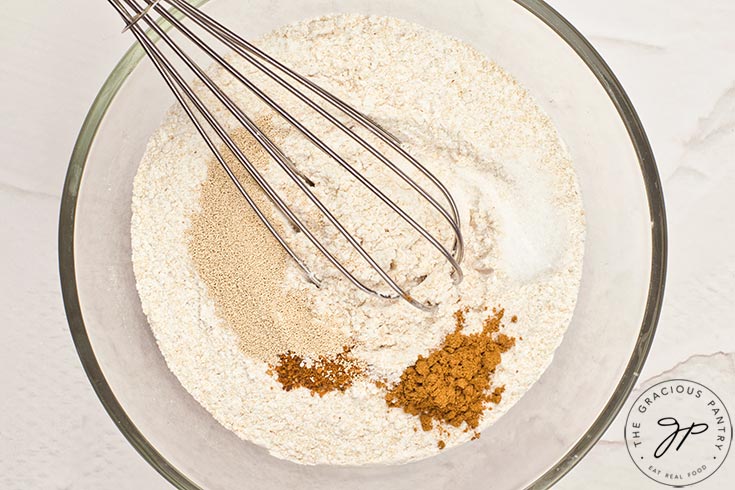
[555, 423]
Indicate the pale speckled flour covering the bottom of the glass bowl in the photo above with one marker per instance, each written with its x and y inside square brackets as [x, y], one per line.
[471, 125]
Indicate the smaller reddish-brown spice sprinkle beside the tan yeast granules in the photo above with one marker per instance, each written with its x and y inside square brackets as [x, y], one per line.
[320, 376]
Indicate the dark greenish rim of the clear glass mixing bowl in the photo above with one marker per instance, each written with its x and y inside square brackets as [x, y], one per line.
[659, 243]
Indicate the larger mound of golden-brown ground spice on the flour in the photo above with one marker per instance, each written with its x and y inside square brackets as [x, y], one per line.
[452, 385]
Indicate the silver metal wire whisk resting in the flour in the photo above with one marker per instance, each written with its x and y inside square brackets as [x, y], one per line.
[137, 12]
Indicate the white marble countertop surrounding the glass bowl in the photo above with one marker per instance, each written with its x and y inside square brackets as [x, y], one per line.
[675, 58]
